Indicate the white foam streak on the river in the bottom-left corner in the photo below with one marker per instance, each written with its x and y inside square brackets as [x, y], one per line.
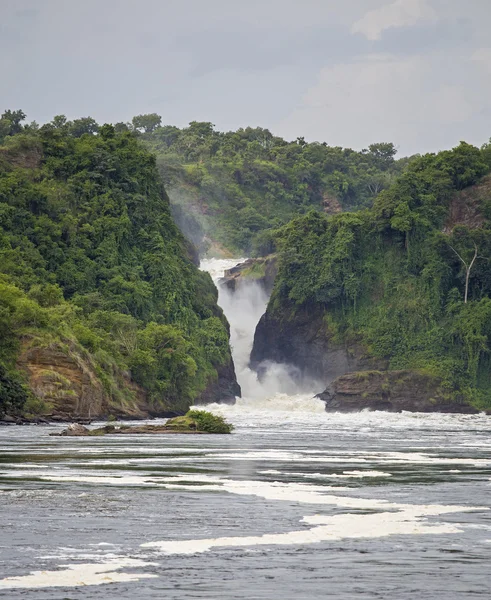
[75, 575]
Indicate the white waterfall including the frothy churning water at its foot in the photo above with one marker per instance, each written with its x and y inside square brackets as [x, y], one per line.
[280, 388]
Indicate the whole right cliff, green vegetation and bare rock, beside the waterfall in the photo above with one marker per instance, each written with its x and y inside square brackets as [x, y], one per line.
[391, 290]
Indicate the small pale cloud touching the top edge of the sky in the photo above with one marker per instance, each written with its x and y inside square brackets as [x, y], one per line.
[401, 13]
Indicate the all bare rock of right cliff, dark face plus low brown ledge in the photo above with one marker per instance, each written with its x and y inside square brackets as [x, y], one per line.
[354, 380]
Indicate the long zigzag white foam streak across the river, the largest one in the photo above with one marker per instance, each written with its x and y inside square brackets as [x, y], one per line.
[391, 518]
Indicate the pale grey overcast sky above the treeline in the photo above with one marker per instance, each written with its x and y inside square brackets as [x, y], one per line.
[347, 72]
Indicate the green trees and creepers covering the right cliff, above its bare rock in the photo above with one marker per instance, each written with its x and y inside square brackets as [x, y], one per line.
[394, 277]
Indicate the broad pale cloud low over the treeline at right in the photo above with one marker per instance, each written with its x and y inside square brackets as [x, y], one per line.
[420, 103]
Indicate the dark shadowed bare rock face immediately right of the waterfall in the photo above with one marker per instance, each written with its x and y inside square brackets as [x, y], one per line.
[303, 341]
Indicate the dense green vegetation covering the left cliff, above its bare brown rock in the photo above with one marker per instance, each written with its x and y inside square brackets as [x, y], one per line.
[92, 264]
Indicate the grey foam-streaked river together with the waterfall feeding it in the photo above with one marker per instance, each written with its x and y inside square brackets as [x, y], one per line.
[295, 504]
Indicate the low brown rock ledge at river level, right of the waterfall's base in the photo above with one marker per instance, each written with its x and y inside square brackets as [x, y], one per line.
[392, 391]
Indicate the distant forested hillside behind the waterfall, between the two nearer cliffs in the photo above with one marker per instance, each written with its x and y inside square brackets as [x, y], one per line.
[237, 187]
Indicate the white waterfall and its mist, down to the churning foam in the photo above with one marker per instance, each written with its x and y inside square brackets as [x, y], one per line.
[243, 309]
